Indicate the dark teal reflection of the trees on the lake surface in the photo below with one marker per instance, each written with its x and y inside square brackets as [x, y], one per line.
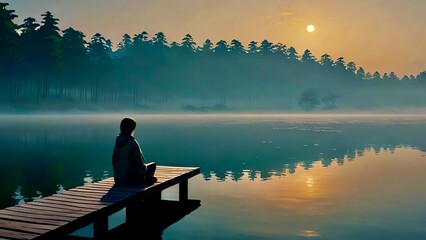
[46, 153]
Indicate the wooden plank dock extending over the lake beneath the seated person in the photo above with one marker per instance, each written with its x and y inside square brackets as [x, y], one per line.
[58, 215]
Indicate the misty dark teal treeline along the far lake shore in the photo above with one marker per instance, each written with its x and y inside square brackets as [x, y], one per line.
[43, 65]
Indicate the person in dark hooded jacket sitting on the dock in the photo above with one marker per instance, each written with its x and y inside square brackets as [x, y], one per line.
[128, 161]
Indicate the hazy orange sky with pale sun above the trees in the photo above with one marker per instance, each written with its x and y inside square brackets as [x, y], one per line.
[378, 35]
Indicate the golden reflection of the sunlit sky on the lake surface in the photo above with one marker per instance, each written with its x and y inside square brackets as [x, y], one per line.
[374, 196]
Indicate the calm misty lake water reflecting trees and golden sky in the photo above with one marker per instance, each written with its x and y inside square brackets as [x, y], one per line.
[263, 176]
